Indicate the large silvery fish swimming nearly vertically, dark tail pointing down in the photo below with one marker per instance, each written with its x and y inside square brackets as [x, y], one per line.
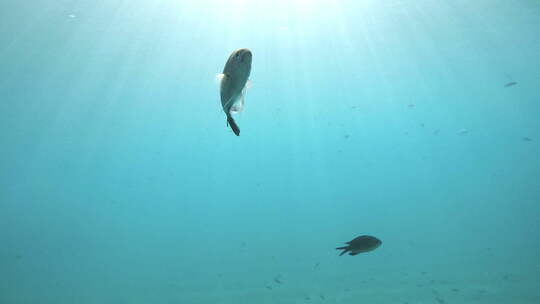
[233, 84]
